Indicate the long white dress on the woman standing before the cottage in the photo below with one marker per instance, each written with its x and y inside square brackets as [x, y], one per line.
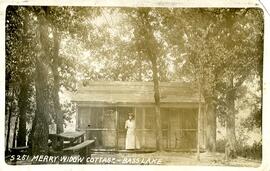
[132, 141]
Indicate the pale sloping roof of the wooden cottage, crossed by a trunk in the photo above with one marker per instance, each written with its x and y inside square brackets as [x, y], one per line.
[135, 92]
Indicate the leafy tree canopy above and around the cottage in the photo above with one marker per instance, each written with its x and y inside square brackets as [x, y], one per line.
[220, 47]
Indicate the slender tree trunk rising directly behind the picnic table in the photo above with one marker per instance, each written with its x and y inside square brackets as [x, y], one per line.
[56, 86]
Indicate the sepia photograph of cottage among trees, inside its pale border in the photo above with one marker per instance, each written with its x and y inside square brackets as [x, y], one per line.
[100, 85]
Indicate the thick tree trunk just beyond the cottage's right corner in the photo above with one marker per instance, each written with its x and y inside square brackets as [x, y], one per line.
[211, 126]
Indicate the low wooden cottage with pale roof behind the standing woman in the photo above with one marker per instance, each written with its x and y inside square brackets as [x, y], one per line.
[103, 107]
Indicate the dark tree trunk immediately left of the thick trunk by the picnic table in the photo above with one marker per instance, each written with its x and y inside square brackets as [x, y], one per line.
[23, 96]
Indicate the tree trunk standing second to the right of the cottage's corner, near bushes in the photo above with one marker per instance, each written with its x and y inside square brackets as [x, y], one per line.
[230, 123]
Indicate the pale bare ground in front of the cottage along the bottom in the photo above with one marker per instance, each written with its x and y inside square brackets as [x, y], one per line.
[166, 158]
